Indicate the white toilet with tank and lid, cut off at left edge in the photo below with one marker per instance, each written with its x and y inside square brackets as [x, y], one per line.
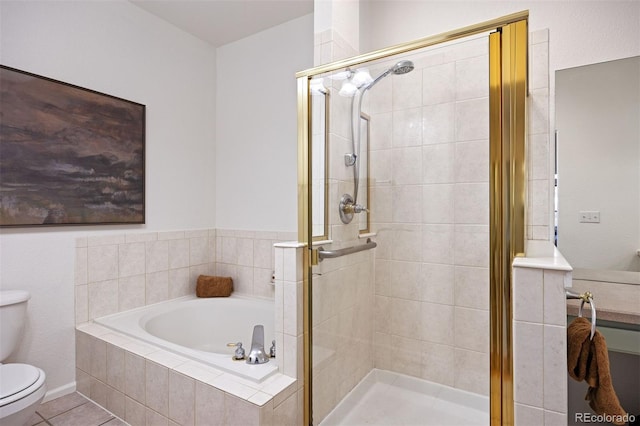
[22, 386]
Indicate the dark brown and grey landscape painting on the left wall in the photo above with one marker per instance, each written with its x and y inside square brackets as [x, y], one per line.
[68, 155]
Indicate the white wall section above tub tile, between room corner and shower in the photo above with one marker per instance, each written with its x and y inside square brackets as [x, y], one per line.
[256, 133]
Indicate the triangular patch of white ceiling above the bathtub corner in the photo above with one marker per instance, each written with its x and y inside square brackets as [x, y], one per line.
[219, 22]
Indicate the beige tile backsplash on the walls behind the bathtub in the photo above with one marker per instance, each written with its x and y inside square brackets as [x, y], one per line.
[115, 273]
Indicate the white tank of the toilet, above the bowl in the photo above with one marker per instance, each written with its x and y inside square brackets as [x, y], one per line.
[13, 309]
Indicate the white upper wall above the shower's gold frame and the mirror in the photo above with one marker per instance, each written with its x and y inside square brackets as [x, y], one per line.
[581, 32]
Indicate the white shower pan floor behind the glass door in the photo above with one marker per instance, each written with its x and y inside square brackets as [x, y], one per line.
[386, 398]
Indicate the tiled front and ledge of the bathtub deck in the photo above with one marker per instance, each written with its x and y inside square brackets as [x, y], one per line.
[143, 384]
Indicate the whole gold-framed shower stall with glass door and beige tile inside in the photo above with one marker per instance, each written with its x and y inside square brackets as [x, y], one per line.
[411, 205]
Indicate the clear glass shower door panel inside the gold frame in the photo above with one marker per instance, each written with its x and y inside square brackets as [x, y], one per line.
[400, 333]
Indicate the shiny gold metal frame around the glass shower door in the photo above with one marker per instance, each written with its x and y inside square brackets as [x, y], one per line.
[508, 53]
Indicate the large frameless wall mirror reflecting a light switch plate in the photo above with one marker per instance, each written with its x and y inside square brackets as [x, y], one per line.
[598, 165]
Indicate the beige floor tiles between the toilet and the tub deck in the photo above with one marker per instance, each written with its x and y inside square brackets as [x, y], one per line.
[73, 410]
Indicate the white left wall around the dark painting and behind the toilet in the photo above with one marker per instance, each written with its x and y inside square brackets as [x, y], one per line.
[116, 48]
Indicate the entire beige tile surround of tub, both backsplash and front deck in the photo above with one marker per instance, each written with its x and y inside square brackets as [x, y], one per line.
[147, 385]
